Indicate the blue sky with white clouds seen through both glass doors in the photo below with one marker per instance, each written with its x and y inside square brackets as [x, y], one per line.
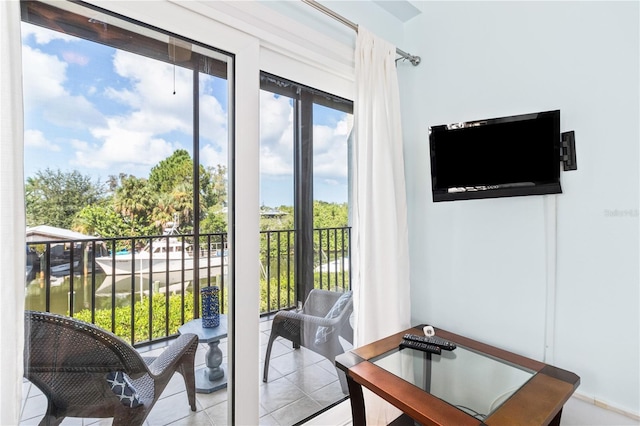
[103, 112]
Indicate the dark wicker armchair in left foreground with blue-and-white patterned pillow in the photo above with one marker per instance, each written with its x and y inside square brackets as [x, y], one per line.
[70, 360]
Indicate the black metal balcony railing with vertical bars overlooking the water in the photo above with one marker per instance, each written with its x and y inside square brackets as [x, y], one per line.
[142, 288]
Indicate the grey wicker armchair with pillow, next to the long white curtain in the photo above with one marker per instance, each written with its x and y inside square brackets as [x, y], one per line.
[302, 327]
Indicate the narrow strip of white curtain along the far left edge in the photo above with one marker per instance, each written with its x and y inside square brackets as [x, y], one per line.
[12, 220]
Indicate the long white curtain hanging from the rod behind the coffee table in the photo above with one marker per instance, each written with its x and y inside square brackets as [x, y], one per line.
[380, 247]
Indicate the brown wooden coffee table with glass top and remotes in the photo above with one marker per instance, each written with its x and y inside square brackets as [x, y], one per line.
[475, 384]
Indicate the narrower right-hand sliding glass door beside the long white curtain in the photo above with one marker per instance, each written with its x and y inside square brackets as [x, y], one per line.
[305, 249]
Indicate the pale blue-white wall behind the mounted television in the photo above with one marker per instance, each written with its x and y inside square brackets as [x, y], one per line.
[497, 270]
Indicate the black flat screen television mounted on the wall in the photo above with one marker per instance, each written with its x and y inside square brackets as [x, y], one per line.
[498, 157]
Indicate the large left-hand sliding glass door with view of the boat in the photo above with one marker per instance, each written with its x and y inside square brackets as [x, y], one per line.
[127, 146]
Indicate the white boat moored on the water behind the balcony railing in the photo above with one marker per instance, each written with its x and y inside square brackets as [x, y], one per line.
[169, 254]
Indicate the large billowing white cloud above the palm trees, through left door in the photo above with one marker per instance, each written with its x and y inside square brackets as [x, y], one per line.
[139, 137]
